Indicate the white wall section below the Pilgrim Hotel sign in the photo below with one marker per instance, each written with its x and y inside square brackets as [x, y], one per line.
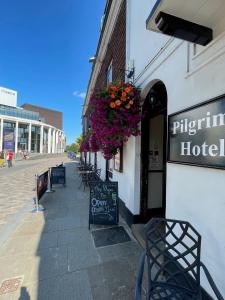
[197, 195]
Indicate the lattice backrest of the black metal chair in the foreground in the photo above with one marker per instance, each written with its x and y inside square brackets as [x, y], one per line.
[173, 251]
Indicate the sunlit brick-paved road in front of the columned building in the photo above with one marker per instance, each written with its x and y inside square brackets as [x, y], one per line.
[17, 185]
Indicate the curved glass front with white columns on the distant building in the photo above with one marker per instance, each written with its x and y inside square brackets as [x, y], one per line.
[24, 131]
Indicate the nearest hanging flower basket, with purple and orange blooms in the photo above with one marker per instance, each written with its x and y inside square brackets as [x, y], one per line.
[115, 115]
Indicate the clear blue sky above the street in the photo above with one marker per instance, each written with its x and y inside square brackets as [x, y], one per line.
[44, 50]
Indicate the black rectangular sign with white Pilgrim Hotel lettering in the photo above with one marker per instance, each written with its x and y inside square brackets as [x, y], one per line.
[197, 135]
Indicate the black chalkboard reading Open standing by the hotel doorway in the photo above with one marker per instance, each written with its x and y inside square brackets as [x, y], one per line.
[103, 203]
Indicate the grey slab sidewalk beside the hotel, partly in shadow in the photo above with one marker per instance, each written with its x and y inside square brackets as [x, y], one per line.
[52, 256]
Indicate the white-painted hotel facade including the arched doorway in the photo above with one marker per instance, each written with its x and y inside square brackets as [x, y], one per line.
[176, 77]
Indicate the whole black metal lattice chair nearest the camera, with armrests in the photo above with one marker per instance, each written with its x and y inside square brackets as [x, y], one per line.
[173, 262]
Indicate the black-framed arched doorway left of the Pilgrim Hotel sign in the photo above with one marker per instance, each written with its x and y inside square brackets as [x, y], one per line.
[153, 153]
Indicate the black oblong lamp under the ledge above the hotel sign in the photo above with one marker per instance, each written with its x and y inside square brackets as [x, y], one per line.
[185, 30]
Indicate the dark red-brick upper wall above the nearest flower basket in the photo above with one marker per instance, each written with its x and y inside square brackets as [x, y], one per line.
[116, 51]
